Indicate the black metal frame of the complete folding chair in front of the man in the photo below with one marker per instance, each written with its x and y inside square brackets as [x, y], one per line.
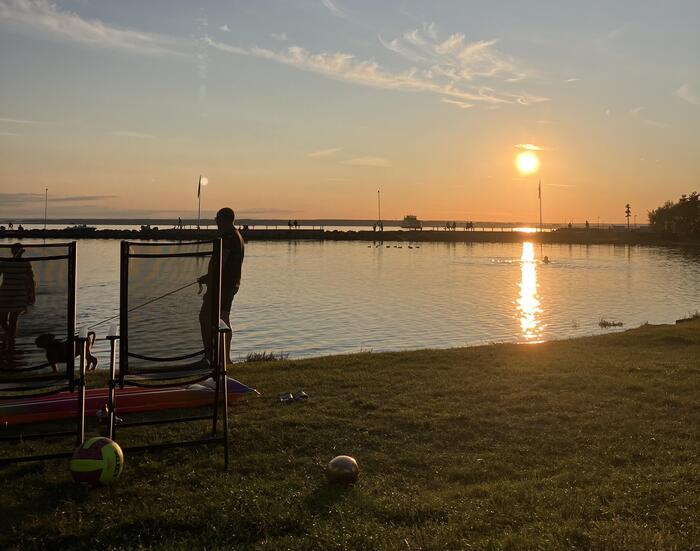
[169, 376]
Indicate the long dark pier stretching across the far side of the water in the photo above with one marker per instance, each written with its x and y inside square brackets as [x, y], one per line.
[561, 236]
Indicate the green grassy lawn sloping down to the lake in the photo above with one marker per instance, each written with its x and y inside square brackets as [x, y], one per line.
[590, 443]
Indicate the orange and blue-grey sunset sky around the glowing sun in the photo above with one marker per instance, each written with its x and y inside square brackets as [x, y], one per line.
[304, 109]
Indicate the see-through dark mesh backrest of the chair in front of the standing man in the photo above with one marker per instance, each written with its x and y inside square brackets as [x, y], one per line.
[163, 308]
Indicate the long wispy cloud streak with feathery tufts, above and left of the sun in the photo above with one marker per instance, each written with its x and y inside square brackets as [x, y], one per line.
[346, 67]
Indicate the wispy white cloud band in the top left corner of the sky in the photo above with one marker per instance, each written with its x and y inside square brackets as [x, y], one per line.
[42, 16]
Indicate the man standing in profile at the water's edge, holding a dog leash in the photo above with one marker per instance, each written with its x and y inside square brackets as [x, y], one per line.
[233, 251]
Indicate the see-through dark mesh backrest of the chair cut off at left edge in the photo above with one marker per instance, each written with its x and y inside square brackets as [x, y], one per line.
[35, 329]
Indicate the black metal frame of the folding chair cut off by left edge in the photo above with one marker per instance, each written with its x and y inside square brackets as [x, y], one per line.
[24, 385]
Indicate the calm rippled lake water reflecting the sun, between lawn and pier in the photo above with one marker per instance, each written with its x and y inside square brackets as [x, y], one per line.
[316, 298]
